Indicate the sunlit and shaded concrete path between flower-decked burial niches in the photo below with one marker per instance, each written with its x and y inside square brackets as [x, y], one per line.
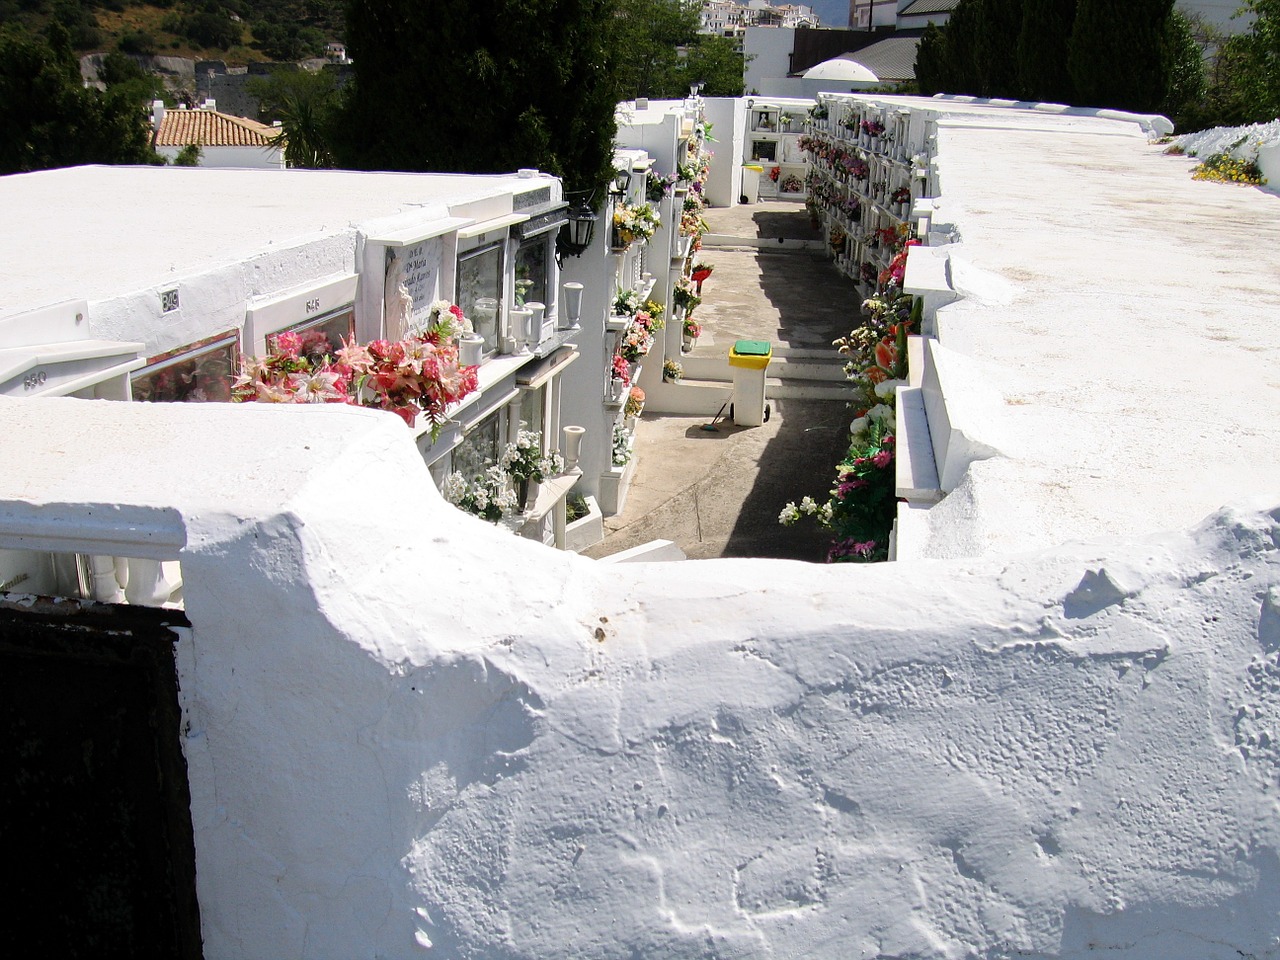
[719, 493]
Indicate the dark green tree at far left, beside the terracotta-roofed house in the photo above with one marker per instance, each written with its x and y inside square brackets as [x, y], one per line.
[48, 118]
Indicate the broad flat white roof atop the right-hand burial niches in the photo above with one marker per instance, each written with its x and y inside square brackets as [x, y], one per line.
[1124, 316]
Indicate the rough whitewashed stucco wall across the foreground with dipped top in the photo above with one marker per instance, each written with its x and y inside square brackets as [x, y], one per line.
[412, 735]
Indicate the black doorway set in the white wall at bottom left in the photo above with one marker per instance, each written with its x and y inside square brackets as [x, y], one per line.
[95, 812]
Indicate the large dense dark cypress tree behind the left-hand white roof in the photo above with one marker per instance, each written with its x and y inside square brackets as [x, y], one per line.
[511, 84]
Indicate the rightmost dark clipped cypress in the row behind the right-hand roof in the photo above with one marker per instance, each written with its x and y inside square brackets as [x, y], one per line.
[1118, 56]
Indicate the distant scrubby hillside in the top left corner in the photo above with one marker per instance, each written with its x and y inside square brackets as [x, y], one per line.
[235, 31]
